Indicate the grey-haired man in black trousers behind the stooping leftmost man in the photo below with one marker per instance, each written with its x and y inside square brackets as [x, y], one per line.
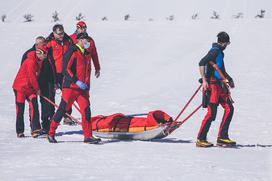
[46, 84]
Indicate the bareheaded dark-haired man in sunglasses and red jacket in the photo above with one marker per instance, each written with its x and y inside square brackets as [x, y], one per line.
[58, 43]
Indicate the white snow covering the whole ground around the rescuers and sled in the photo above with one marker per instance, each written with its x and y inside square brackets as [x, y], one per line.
[146, 66]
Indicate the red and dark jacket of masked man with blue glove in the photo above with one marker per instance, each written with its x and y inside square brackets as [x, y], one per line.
[76, 67]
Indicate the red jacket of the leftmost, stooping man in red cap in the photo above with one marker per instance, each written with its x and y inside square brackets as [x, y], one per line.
[26, 80]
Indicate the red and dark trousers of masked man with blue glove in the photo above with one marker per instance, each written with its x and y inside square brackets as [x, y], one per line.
[69, 96]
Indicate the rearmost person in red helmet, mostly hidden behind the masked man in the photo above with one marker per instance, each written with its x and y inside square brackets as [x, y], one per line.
[81, 27]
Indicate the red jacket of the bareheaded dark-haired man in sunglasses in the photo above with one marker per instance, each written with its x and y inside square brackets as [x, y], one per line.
[56, 50]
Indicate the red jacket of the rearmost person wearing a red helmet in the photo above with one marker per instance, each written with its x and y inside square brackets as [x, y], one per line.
[91, 51]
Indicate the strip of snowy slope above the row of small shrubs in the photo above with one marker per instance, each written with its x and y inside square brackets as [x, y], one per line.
[142, 10]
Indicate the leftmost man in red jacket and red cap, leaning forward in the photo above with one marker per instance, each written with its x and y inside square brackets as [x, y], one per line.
[26, 87]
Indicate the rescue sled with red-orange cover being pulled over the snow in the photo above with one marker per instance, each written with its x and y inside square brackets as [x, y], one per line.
[120, 126]
